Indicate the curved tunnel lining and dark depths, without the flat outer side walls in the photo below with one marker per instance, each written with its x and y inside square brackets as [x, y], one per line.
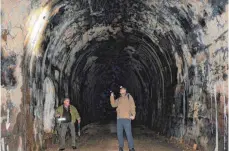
[88, 49]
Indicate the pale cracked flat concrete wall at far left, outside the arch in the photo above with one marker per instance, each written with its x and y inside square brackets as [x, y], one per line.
[14, 15]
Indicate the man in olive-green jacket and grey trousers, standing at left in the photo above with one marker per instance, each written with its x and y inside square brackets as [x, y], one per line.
[69, 114]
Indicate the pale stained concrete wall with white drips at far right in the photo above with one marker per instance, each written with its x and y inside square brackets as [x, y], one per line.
[206, 84]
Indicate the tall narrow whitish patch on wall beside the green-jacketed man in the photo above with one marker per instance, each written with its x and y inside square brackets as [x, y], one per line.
[49, 104]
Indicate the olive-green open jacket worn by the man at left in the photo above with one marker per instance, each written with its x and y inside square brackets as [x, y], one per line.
[74, 113]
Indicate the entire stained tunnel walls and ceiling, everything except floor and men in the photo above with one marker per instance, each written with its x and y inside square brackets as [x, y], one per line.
[171, 55]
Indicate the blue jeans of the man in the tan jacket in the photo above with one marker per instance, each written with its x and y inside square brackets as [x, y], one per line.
[126, 125]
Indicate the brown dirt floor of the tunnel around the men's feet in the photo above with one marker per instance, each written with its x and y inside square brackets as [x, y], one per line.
[97, 137]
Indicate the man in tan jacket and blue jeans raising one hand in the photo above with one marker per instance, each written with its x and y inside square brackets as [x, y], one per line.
[126, 112]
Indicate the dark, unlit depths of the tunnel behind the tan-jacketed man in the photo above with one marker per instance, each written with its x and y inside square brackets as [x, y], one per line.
[123, 61]
